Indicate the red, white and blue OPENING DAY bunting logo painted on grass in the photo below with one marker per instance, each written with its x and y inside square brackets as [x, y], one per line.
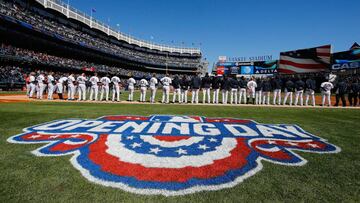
[171, 155]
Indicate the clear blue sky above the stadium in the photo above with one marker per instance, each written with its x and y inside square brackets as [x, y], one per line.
[234, 28]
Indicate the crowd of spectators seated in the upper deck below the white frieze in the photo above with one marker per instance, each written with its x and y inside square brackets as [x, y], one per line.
[42, 23]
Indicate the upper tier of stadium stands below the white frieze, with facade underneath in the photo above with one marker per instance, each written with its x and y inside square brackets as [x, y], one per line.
[29, 15]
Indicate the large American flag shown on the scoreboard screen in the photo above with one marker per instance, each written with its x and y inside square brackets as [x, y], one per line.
[315, 59]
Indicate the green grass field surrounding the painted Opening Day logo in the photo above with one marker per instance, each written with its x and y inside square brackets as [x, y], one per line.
[325, 178]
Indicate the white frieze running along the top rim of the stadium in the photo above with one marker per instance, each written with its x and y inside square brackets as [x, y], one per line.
[71, 12]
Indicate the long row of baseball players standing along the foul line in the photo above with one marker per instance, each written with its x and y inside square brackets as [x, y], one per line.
[255, 91]
